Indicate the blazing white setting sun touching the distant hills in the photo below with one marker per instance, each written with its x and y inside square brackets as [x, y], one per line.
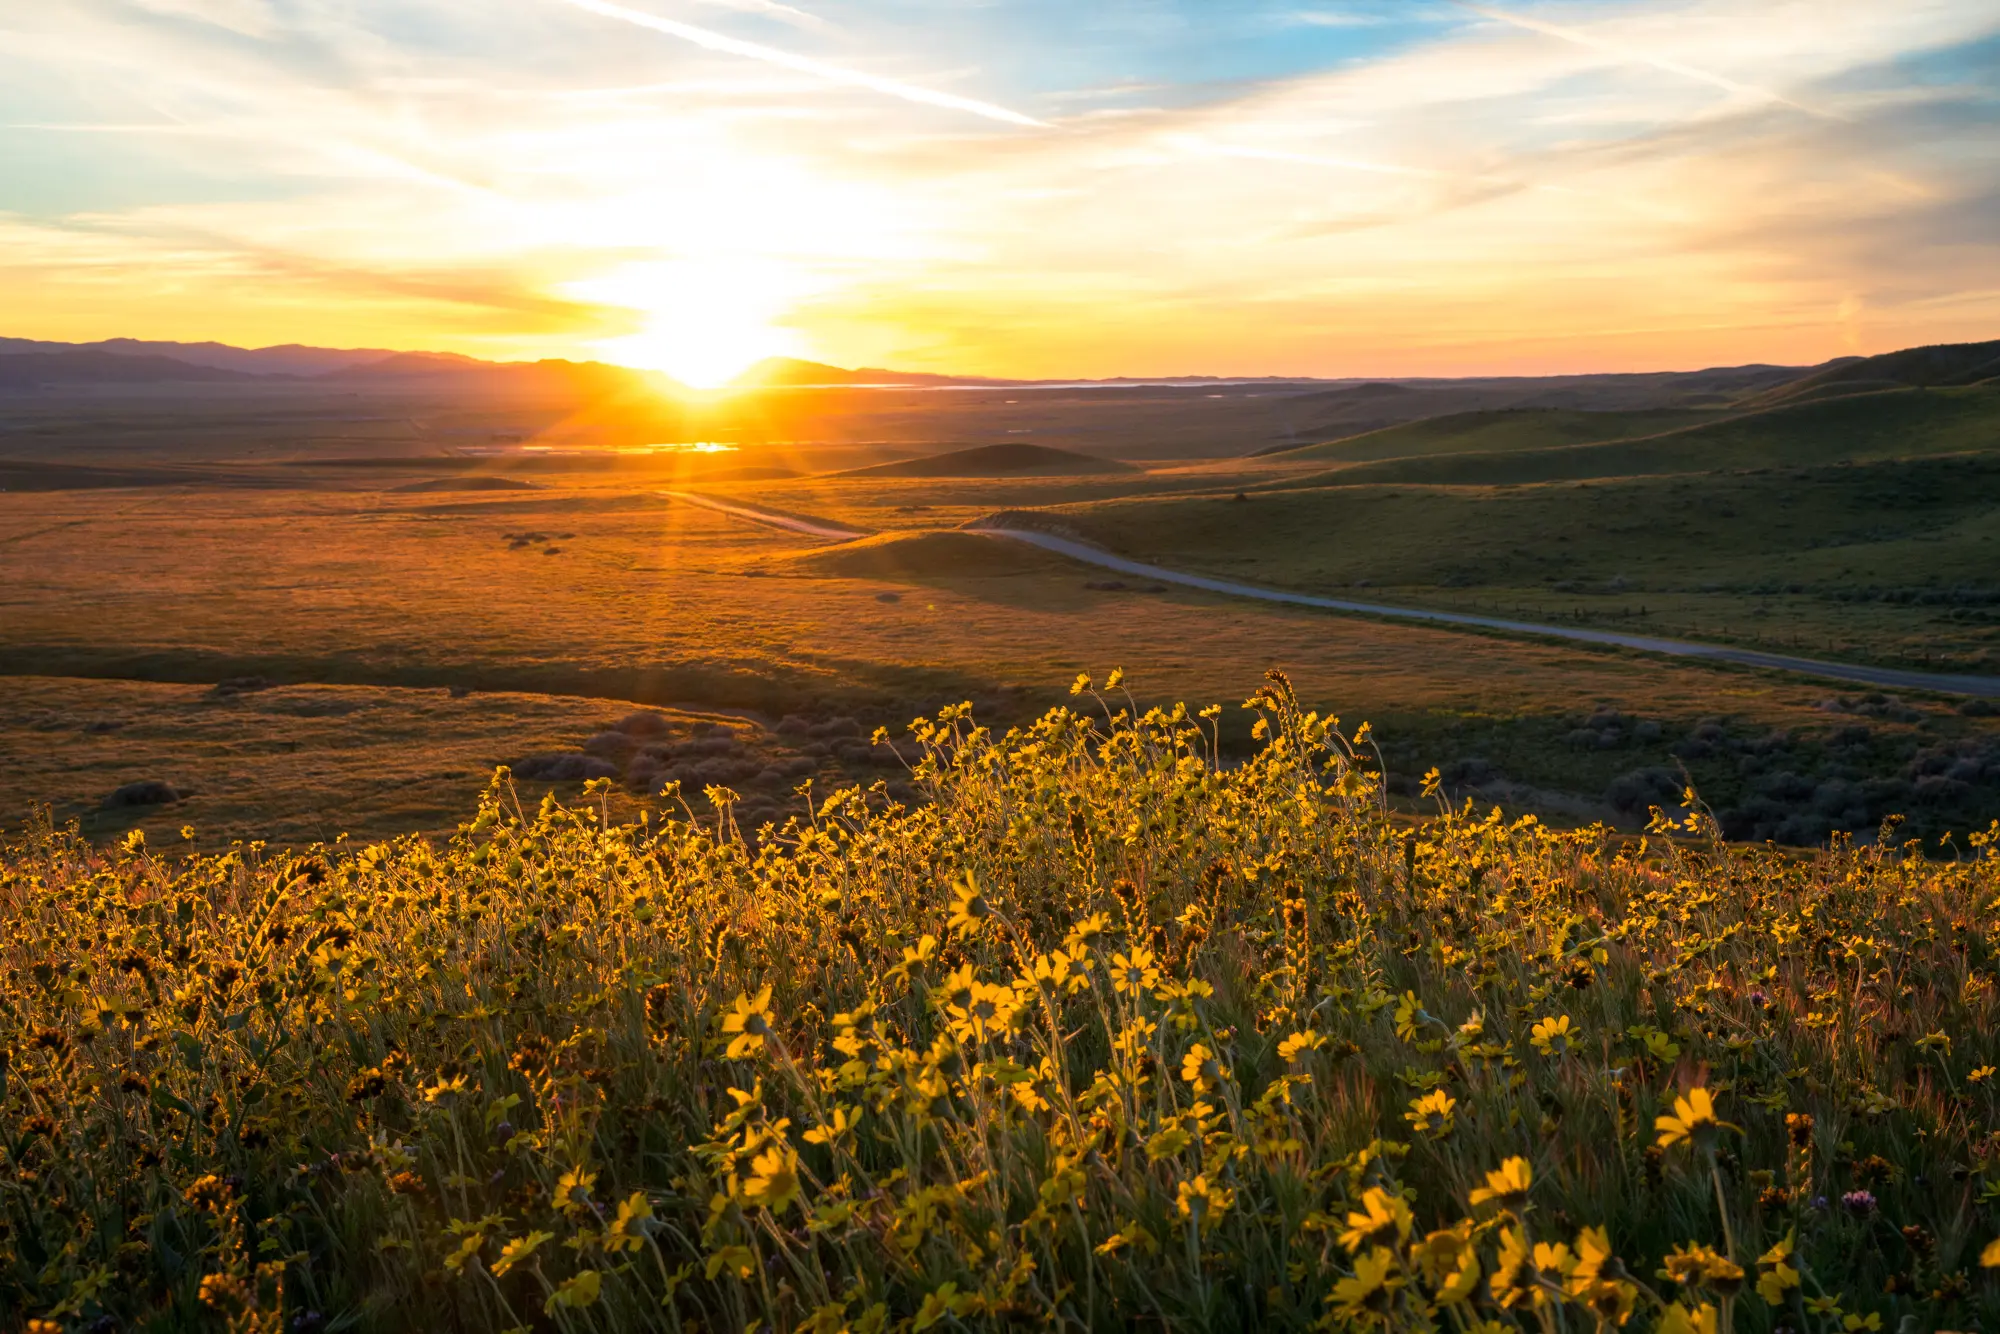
[699, 321]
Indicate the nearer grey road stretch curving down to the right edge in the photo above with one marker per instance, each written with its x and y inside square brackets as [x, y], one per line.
[1987, 687]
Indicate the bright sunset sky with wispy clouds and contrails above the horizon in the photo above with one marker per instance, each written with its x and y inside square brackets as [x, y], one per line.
[1049, 189]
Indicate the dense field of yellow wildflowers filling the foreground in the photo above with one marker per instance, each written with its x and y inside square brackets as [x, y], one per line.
[1097, 1035]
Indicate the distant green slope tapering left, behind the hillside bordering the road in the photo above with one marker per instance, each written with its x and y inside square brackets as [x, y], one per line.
[1859, 429]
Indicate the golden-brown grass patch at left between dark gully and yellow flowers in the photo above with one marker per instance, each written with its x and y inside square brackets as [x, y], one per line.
[301, 765]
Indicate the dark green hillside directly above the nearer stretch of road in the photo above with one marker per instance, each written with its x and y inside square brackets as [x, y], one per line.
[1891, 561]
